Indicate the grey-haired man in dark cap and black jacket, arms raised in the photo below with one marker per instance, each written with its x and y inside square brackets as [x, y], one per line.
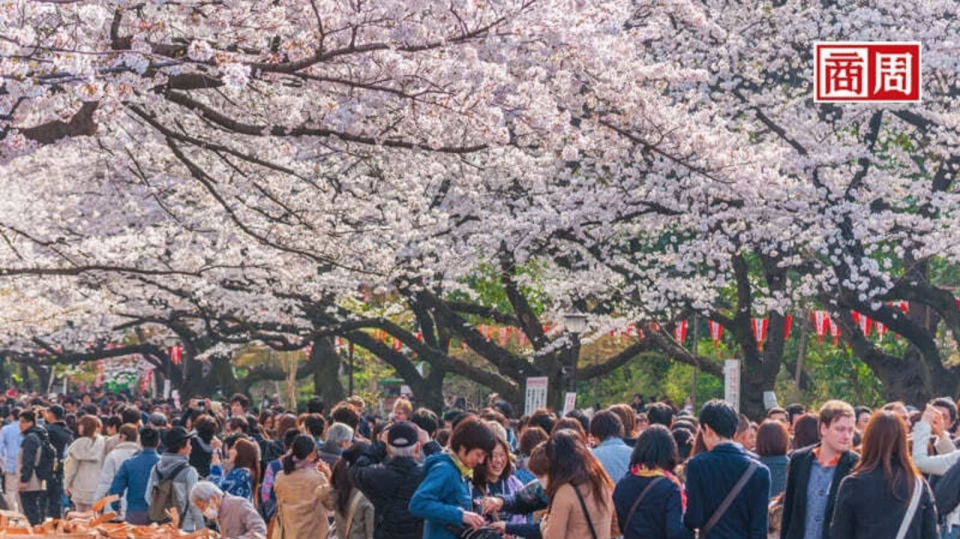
[390, 485]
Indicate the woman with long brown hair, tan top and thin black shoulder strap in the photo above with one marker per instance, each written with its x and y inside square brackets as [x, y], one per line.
[579, 490]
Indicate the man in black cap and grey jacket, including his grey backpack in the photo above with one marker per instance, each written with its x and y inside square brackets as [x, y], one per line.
[171, 481]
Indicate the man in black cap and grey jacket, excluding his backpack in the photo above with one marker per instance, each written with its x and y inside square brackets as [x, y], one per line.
[177, 454]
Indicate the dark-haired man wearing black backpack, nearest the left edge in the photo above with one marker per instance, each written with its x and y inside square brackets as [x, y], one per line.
[35, 467]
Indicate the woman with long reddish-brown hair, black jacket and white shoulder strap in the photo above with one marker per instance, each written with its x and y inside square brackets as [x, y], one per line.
[885, 491]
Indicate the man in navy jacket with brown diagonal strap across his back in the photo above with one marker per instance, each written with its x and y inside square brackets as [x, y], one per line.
[713, 474]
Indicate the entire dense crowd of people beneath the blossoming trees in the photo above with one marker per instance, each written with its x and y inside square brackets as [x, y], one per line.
[638, 471]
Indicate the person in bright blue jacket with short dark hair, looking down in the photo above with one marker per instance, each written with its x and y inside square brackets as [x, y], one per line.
[443, 499]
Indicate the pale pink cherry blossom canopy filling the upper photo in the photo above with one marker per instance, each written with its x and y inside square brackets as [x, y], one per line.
[240, 170]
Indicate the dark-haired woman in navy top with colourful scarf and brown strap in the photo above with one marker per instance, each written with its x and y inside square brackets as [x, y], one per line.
[649, 499]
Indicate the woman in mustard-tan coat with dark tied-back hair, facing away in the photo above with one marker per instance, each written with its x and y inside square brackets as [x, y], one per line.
[300, 513]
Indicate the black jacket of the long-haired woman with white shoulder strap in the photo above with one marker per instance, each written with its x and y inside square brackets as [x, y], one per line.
[868, 509]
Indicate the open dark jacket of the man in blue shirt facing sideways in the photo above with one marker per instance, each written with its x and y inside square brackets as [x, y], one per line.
[795, 496]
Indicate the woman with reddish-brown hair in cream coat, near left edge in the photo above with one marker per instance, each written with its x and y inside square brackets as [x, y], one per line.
[84, 462]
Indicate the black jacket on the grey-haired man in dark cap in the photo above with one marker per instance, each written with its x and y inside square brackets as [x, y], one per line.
[389, 488]
